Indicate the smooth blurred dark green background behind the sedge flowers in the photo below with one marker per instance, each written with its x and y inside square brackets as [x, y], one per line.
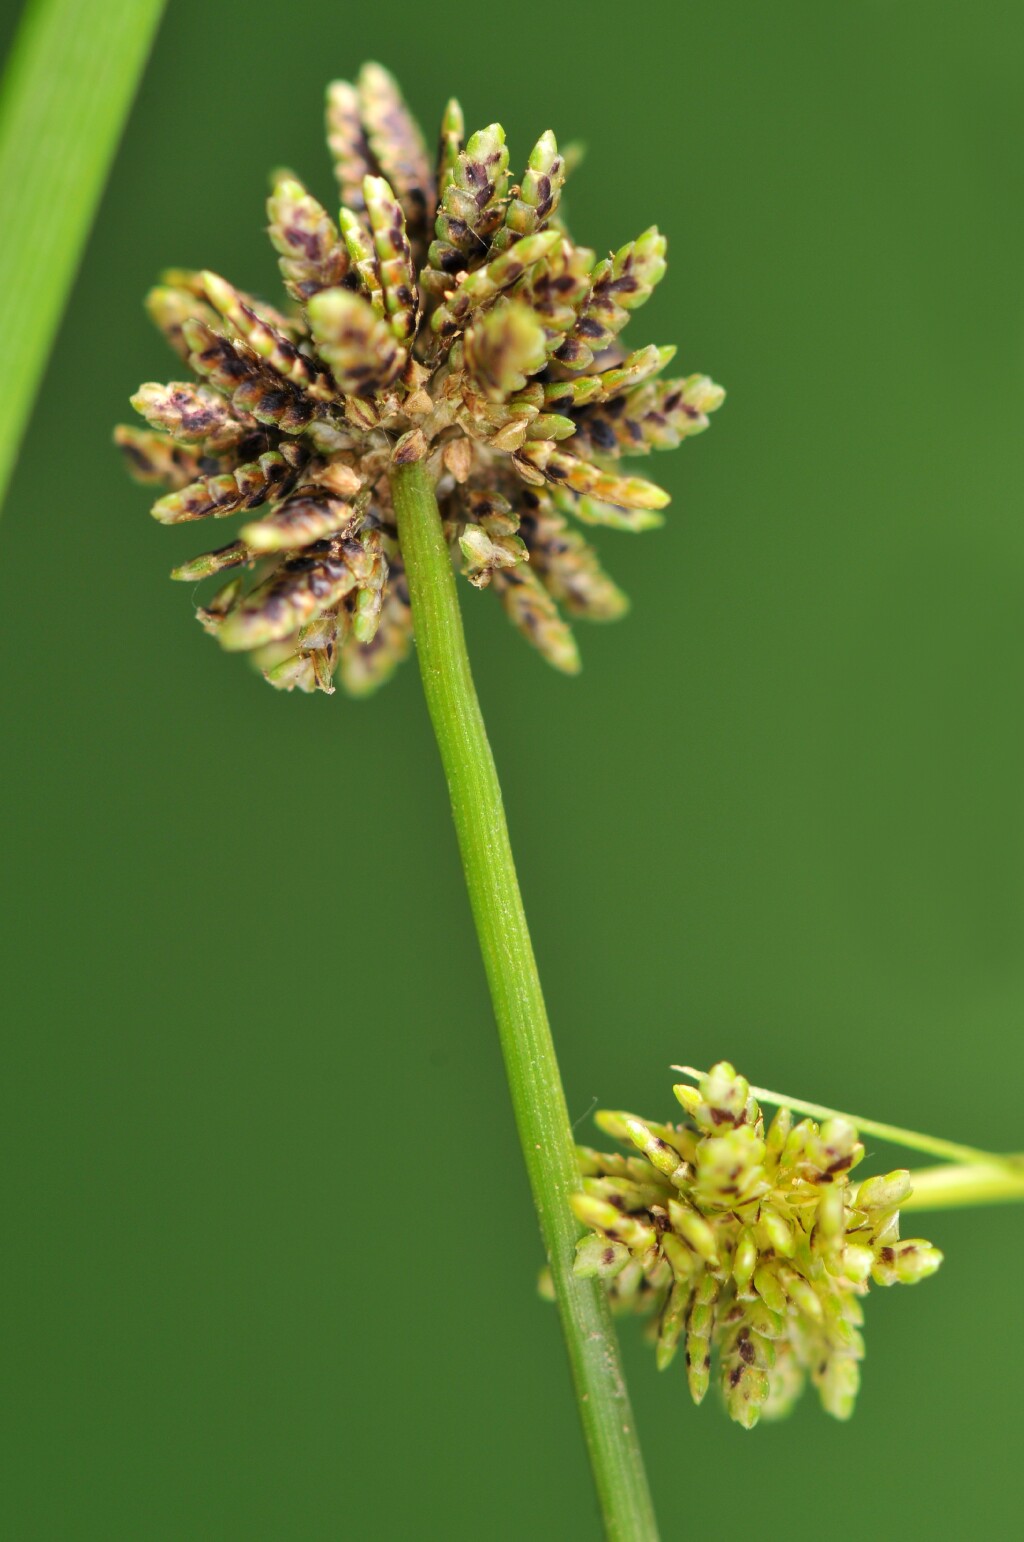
[269, 1250]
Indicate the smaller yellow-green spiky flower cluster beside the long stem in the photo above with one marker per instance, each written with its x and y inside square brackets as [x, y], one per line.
[746, 1244]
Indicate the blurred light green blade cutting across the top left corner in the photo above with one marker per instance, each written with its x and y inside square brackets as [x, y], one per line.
[64, 101]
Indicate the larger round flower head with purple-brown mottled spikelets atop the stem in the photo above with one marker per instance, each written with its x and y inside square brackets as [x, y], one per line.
[446, 317]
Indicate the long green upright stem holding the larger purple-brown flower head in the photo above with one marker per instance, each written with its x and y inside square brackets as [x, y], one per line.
[530, 1054]
